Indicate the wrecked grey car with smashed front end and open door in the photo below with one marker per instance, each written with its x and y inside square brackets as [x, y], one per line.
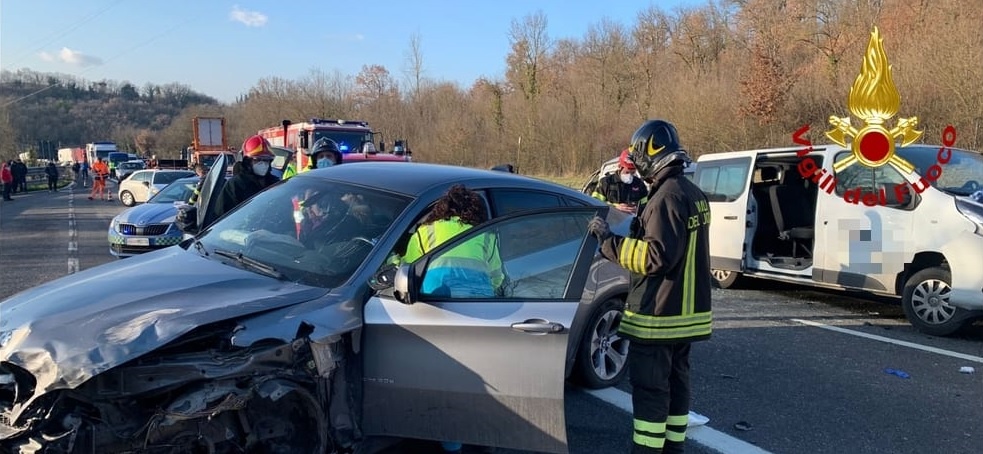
[265, 326]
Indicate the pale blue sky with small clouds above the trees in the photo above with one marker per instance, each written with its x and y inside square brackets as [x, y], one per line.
[221, 48]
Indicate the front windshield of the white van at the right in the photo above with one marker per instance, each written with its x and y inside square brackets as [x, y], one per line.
[962, 175]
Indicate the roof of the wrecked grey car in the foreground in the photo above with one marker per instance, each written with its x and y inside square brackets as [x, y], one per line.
[414, 178]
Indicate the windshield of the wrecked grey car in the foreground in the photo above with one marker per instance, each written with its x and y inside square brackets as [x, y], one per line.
[308, 229]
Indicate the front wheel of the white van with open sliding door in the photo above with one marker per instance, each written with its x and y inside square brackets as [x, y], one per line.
[925, 303]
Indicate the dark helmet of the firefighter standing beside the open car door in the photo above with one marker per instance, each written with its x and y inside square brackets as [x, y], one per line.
[654, 146]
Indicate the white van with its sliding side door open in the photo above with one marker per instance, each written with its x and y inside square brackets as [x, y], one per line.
[784, 214]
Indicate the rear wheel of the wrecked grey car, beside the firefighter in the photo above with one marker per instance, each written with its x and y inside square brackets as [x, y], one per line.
[602, 356]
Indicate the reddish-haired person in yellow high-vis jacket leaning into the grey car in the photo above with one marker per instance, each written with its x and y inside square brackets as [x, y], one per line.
[471, 269]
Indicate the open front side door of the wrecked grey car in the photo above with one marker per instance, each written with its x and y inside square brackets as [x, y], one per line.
[451, 360]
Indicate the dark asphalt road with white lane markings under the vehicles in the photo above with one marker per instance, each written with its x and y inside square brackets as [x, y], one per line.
[789, 369]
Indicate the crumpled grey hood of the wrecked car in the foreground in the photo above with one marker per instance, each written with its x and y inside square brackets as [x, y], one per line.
[70, 329]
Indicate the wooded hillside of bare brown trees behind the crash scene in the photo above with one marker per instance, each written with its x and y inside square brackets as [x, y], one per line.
[731, 74]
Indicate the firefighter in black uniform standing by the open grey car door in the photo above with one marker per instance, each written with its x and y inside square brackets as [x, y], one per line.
[668, 306]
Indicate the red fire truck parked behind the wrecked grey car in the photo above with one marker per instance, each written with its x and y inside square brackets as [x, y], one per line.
[355, 139]
